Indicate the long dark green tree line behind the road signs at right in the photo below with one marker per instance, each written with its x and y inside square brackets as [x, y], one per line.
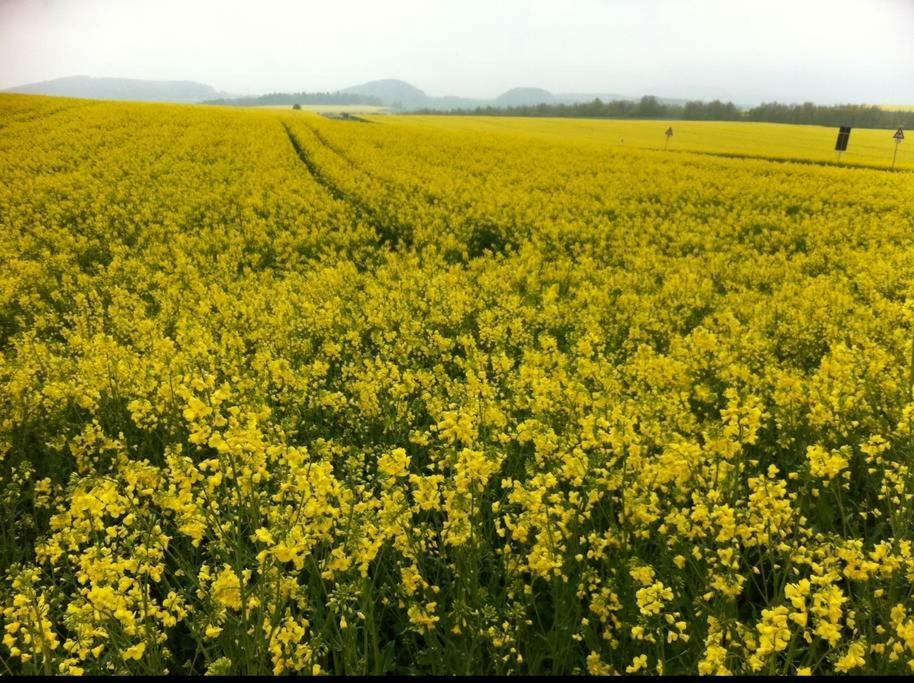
[650, 107]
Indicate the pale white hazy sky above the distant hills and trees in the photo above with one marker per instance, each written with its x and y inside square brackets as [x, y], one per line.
[747, 51]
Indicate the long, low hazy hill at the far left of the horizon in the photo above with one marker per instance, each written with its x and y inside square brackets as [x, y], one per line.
[121, 89]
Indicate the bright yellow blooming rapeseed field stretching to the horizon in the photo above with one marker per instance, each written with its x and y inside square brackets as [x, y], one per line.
[280, 394]
